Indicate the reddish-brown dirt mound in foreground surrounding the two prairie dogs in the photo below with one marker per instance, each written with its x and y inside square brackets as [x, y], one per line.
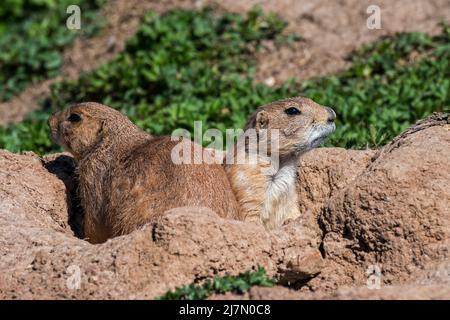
[386, 208]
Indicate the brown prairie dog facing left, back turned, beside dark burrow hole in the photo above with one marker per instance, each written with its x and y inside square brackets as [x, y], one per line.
[127, 177]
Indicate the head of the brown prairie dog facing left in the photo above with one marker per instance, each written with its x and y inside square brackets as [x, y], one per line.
[82, 127]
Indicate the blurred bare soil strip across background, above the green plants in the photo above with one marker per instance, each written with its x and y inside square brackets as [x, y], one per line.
[331, 30]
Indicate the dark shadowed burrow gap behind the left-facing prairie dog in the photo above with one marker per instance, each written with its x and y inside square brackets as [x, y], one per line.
[64, 168]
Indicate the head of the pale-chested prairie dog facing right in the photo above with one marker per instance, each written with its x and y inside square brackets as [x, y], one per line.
[302, 124]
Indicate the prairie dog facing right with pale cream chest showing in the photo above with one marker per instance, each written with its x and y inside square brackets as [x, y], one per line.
[267, 194]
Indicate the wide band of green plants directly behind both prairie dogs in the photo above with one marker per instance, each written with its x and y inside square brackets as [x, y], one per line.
[186, 66]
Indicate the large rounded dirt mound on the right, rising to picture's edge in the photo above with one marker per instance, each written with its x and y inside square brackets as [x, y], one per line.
[395, 214]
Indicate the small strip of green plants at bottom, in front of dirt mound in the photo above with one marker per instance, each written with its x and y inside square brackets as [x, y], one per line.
[220, 285]
